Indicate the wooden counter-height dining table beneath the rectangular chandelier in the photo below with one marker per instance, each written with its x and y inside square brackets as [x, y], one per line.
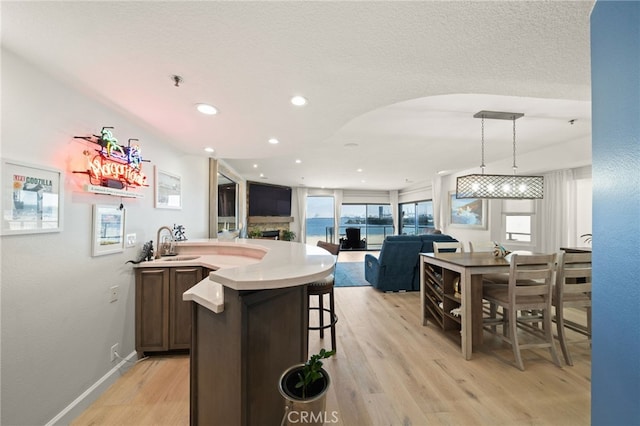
[471, 267]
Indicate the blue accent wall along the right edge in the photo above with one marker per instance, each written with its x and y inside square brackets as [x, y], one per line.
[615, 73]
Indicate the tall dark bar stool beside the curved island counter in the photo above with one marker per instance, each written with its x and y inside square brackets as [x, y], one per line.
[320, 288]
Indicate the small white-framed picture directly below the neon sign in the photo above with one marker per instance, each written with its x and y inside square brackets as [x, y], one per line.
[108, 230]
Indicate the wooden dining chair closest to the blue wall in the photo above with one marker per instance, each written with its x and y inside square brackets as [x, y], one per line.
[572, 290]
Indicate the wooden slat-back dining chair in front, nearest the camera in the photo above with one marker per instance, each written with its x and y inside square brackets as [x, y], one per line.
[525, 303]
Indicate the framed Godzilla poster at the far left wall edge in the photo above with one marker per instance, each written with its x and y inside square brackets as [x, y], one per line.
[31, 198]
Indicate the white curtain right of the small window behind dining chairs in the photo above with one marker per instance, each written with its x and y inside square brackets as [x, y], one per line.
[559, 188]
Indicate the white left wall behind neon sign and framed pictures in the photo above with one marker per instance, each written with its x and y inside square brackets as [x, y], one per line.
[57, 323]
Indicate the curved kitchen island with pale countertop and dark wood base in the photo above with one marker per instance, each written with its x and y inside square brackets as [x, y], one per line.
[249, 323]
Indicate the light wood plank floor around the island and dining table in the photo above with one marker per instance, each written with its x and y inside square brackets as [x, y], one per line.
[389, 370]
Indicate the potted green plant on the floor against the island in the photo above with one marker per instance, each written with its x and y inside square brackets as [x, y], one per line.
[304, 388]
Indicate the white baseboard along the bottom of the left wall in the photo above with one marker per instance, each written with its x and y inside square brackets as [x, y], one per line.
[81, 403]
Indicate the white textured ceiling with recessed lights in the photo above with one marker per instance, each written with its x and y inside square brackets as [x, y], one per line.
[399, 80]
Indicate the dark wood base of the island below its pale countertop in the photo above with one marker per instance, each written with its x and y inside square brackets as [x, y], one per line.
[238, 355]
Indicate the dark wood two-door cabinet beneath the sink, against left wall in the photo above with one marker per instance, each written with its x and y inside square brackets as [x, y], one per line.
[163, 319]
